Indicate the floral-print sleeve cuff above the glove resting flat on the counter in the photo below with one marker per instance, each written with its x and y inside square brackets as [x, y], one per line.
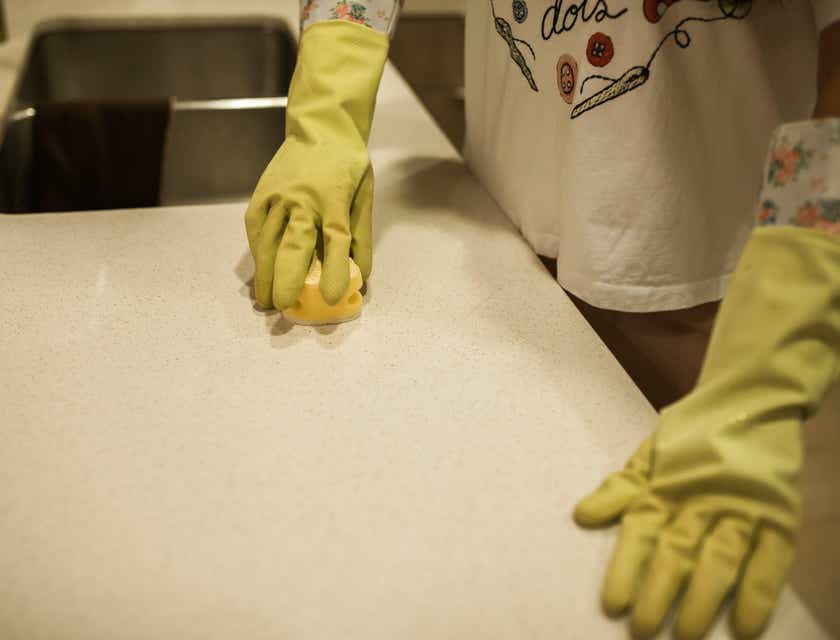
[802, 181]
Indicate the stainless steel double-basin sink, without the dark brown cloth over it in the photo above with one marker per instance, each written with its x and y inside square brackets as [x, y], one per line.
[227, 82]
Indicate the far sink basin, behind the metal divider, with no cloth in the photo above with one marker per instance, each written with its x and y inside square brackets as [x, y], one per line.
[192, 60]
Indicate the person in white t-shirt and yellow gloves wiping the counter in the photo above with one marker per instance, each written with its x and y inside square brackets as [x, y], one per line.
[626, 140]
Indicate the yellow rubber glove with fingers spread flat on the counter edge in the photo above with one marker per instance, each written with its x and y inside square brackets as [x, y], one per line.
[711, 501]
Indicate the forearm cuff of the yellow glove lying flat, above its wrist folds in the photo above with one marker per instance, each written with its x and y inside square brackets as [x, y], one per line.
[778, 330]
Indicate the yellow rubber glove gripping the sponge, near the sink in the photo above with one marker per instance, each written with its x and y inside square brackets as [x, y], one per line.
[319, 185]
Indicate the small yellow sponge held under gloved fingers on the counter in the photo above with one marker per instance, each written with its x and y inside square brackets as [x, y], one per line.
[312, 309]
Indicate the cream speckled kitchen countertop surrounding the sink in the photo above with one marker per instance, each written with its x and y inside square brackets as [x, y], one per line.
[175, 464]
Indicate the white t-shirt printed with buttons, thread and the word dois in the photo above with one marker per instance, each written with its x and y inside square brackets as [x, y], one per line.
[626, 138]
